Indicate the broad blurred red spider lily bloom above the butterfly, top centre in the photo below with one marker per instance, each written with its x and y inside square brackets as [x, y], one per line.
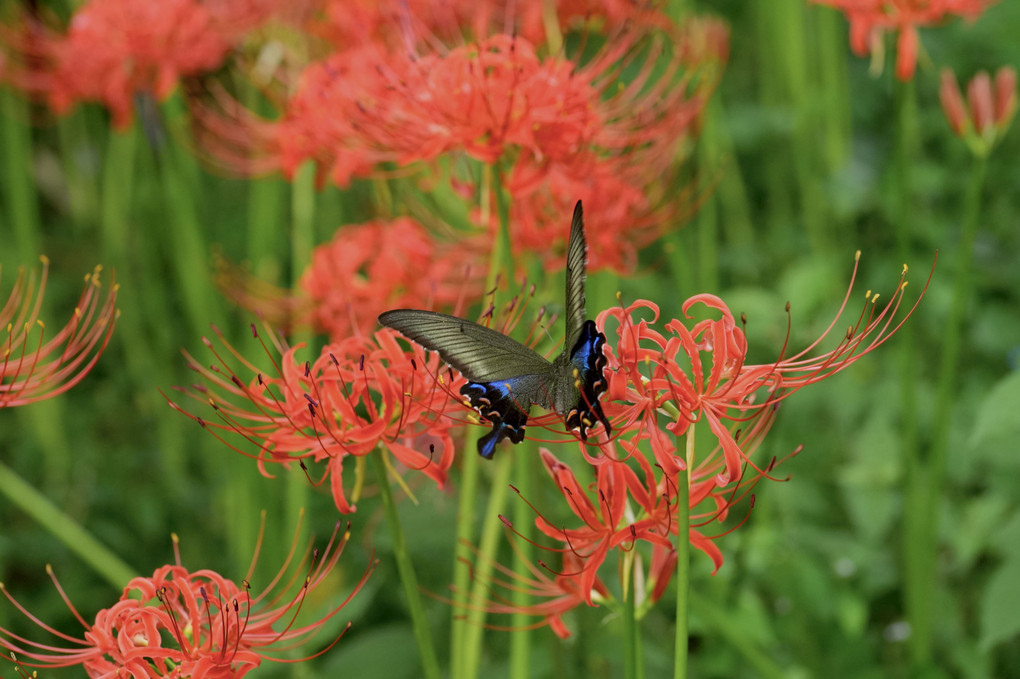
[491, 101]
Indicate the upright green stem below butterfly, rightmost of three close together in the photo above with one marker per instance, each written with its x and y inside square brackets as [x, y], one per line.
[524, 520]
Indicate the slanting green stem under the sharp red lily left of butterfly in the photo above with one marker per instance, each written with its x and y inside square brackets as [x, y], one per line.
[423, 633]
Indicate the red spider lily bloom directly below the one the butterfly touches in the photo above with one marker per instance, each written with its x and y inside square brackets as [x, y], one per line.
[631, 503]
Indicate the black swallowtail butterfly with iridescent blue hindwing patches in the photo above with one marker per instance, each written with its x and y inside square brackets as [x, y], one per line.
[505, 378]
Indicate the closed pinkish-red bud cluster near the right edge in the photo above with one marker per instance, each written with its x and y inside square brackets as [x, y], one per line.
[992, 109]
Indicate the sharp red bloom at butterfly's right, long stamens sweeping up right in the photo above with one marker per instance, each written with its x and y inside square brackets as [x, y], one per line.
[733, 395]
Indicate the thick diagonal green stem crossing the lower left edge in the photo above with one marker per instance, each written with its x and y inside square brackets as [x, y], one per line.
[65, 529]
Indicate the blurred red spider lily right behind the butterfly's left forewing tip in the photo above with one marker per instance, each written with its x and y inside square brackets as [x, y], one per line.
[365, 271]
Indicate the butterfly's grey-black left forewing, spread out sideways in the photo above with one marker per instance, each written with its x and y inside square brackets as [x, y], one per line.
[482, 354]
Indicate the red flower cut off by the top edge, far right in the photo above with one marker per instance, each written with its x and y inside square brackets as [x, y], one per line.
[870, 19]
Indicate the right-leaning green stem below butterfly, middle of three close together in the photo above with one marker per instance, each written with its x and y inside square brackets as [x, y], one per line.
[488, 549]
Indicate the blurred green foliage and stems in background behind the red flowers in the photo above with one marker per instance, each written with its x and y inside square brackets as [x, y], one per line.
[814, 581]
